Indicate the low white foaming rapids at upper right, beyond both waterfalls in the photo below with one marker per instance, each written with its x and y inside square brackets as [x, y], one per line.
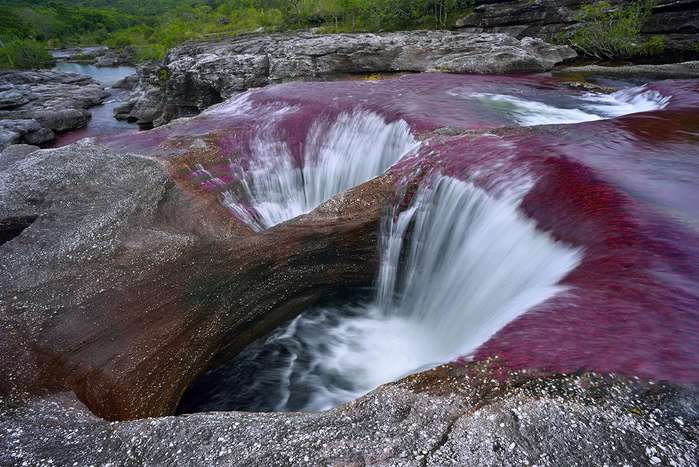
[589, 107]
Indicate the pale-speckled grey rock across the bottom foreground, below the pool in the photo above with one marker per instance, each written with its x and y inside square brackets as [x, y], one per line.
[449, 416]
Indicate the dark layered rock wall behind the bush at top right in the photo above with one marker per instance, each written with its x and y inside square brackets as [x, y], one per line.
[676, 20]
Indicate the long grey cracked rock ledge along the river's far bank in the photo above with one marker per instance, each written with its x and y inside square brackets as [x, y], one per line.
[198, 74]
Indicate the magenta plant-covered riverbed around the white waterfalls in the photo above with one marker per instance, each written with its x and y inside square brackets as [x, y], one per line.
[624, 190]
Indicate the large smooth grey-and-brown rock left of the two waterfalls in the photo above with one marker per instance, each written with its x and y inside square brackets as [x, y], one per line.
[109, 222]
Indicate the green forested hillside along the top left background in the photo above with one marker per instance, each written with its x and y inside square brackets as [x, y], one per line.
[153, 26]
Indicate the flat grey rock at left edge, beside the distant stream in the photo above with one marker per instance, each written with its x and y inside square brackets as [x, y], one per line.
[35, 105]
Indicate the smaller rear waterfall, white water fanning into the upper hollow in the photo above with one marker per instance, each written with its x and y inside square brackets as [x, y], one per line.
[337, 155]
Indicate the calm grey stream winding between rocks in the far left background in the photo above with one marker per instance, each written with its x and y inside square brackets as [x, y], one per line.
[102, 122]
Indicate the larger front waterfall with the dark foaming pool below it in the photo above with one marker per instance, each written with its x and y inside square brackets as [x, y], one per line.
[456, 266]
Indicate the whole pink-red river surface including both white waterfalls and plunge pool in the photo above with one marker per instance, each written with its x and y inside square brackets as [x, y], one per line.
[555, 247]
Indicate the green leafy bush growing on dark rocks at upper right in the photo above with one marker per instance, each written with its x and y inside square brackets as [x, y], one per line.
[610, 34]
